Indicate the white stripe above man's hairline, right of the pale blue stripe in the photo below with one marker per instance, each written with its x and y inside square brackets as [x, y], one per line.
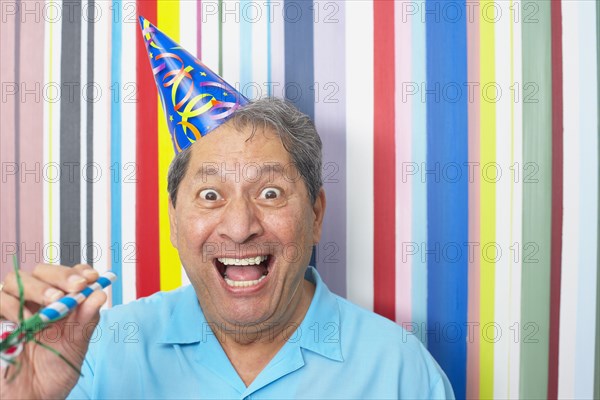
[255, 12]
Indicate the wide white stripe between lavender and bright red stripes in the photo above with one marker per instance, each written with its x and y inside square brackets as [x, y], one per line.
[359, 146]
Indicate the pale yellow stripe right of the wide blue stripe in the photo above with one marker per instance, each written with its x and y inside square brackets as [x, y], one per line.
[488, 197]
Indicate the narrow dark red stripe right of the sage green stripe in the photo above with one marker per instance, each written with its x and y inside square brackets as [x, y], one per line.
[557, 198]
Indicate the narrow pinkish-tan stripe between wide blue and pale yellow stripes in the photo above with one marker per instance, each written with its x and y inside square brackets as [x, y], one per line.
[473, 302]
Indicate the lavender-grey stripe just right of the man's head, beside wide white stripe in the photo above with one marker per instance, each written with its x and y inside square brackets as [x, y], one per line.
[330, 120]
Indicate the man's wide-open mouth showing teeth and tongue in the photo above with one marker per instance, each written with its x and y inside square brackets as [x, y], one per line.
[243, 272]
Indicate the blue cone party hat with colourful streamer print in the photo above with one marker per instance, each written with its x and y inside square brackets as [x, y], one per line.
[195, 99]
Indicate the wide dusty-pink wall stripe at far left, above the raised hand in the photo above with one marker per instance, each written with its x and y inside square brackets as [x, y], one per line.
[31, 142]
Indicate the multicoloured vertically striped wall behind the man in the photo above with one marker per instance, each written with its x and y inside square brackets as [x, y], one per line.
[460, 161]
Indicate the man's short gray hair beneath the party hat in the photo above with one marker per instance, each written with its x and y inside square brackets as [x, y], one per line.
[296, 130]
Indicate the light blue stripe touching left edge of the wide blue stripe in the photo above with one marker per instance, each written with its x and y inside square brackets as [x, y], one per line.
[419, 157]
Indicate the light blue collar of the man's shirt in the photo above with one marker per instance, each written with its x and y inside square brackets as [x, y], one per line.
[319, 332]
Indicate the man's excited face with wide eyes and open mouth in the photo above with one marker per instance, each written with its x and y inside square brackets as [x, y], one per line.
[244, 226]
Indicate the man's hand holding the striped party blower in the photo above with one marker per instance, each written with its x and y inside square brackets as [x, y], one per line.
[43, 374]
